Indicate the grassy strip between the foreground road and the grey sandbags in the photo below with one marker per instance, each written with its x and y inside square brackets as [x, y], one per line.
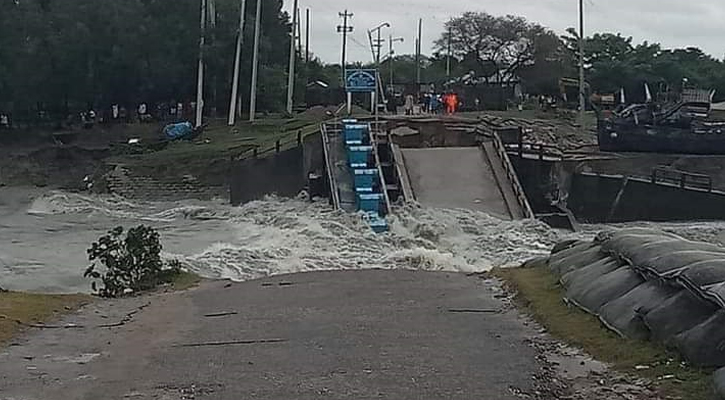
[539, 292]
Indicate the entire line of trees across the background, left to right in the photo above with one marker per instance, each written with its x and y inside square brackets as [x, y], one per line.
[62, 56]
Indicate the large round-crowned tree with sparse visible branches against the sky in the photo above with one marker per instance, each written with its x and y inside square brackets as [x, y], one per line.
[495, 48]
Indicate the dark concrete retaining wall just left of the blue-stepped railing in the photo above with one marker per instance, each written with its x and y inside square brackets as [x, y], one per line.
[284, 173]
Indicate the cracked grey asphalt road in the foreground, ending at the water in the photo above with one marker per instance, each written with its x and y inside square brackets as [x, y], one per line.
[332, 335]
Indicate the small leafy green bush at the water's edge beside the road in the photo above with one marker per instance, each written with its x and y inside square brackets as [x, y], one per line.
[128, 263]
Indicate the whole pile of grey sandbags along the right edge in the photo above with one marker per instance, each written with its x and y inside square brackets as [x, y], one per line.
[651, 285]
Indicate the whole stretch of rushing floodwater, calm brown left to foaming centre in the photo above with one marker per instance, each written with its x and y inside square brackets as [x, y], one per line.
[44, 236]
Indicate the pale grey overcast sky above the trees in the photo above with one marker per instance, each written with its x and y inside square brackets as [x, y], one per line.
[674, 23]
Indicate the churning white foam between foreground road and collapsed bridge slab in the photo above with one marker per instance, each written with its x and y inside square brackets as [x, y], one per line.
[278, 236]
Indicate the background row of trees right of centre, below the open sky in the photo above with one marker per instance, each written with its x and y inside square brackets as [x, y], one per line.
[507, 49]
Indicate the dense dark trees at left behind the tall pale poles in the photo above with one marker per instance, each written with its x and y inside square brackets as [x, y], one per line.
[62, 56]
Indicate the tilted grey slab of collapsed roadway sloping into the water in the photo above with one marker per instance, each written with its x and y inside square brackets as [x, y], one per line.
[455, 177]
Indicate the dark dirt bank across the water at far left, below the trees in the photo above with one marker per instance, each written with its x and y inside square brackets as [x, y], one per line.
[72, 160]
